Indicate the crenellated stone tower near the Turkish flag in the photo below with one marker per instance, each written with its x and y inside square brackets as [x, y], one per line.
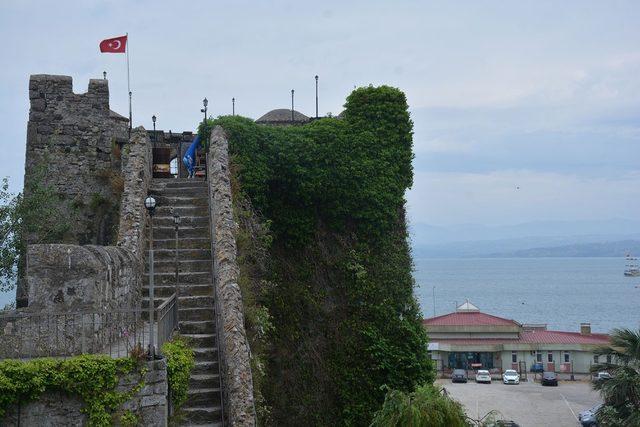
[75, 140]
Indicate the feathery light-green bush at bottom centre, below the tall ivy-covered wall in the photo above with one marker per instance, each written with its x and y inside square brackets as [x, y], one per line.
[426, 407]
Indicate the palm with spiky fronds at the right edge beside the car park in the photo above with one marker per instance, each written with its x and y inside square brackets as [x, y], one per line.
[621, 393]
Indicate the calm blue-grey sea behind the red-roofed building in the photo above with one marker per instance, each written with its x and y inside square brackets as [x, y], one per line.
[561, 292]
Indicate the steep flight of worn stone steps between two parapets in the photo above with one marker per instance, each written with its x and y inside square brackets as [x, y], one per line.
[189, 199]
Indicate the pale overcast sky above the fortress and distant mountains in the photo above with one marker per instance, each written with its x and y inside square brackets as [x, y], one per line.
[544, 96]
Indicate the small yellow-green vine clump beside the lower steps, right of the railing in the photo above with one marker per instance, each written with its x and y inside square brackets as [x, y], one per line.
[180, 363]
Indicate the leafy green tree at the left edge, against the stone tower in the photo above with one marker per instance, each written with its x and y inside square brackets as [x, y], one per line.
[37, 217]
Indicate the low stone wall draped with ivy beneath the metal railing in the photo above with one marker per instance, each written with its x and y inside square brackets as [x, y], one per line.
[85, 390]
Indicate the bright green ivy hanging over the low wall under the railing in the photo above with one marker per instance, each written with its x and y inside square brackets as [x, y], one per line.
[91, 377]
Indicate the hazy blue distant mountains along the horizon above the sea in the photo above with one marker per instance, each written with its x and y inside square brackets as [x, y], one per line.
[534, 239]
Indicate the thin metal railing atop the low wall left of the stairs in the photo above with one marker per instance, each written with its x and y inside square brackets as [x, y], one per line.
[117, 333]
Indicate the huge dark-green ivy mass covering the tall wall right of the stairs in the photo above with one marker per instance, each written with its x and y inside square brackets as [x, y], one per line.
[343, 321]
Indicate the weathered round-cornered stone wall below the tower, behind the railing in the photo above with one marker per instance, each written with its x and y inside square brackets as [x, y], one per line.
[82, 299]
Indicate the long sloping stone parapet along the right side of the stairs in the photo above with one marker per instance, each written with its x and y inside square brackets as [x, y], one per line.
[237, 381]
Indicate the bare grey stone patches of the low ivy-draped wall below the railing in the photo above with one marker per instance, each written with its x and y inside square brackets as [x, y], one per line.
[53, 408]
